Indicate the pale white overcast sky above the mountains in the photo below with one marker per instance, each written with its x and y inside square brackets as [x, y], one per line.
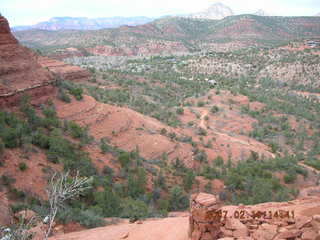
[25, 12]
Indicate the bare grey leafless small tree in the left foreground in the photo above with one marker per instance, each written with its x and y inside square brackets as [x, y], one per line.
[62, 188]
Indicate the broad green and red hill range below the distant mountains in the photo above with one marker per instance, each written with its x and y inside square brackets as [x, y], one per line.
[175, 35]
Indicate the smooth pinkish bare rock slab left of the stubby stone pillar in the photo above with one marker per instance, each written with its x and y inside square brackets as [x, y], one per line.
[175, 228]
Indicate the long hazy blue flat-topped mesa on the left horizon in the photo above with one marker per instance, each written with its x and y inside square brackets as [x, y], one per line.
[83, 23]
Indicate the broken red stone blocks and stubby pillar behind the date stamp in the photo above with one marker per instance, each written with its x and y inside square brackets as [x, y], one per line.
[298, 219]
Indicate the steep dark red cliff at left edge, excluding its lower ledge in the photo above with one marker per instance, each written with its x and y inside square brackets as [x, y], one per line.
[20, 72]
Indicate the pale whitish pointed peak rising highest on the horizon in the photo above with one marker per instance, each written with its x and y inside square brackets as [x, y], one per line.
[215, 11]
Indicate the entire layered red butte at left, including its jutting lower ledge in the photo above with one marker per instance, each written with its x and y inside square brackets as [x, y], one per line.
[22, 71]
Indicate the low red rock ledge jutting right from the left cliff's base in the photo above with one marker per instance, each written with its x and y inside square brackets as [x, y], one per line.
[63, 70]
